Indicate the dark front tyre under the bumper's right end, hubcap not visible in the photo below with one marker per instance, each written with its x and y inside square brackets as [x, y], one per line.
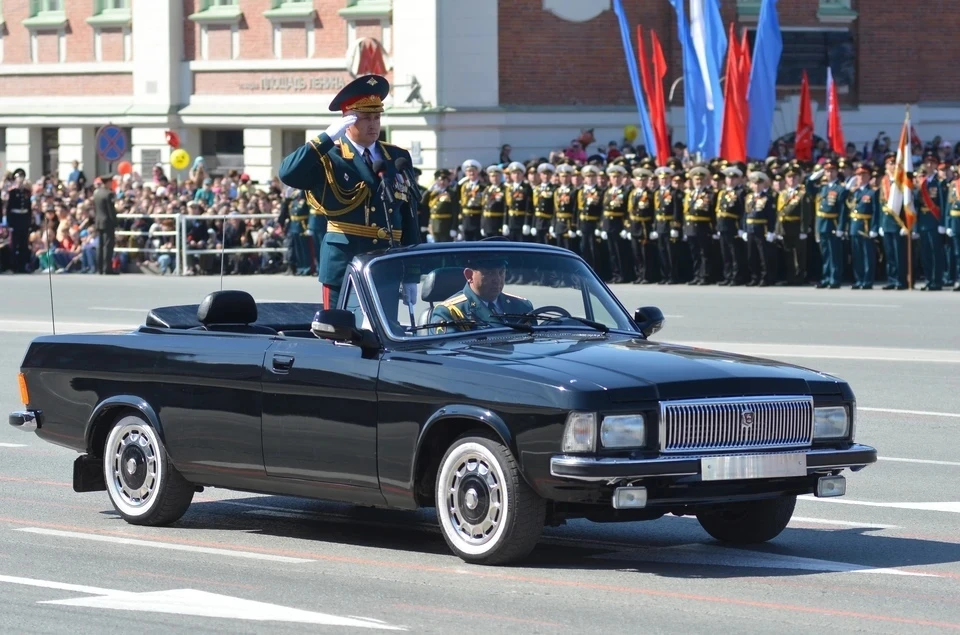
[749, 522]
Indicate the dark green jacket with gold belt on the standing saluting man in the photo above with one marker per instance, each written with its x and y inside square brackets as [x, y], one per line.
[341, 187]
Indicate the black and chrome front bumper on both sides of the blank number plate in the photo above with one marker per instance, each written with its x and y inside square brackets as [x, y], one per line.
[586, 468]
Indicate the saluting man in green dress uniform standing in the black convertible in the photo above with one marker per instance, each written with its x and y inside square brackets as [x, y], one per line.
[340, 182]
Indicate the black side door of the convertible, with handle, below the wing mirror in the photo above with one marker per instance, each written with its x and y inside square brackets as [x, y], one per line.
[320, 409]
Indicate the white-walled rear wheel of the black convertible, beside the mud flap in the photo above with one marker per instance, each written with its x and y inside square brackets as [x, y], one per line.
[144, 487]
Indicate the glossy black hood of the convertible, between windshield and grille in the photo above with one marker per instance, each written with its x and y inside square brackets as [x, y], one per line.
[633, 368]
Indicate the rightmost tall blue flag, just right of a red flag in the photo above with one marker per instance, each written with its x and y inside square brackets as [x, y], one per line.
[762, 91]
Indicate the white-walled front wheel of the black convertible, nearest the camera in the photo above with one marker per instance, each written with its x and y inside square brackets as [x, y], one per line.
[488, 514]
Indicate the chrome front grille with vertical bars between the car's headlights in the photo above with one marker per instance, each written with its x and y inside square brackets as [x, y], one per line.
[736, 423]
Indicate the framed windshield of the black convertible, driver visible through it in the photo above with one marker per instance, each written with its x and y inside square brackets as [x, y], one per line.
[469, 289]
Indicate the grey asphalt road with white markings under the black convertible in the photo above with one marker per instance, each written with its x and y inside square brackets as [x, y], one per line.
[884, 558]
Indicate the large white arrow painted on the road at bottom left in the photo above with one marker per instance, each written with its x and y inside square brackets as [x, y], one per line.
[196, 603]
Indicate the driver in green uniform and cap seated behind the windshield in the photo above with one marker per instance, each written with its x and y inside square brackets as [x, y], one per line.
[482, 298]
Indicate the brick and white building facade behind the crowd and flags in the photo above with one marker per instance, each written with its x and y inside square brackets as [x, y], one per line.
[243, 82]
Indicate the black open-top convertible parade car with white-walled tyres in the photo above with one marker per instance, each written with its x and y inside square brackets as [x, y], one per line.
[504, 421]
